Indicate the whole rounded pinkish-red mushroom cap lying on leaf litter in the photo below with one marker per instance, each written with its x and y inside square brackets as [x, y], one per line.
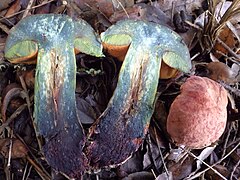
[198, 115]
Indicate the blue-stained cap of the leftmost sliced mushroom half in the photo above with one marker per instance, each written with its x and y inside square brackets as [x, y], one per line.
[23, 41]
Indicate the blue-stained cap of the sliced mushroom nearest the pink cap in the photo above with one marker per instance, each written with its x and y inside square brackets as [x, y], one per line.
[162, 41]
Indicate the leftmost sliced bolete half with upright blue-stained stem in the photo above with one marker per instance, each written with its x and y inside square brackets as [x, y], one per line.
[53, 39]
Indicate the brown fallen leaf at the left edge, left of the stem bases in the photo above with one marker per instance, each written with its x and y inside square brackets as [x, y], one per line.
[18, 150]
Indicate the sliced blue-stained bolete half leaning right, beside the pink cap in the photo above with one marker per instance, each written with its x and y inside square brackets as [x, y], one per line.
[121, 129]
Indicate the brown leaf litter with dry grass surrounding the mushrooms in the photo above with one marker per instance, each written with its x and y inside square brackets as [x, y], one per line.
[212, 34]
